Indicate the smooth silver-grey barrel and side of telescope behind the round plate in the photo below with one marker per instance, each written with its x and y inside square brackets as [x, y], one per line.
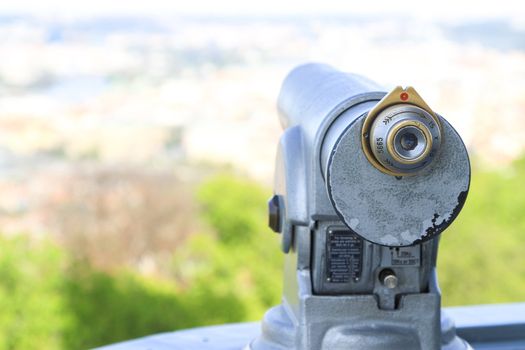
[312, 97]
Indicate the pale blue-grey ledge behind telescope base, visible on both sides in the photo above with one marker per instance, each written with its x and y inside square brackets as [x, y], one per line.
[486, 327]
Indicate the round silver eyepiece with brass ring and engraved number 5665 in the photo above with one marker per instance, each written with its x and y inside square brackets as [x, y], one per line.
[404, 139]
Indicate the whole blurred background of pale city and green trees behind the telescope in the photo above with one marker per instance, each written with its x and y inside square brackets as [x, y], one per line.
[137, 146]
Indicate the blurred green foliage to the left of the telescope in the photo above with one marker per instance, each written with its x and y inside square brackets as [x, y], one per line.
[51, 299]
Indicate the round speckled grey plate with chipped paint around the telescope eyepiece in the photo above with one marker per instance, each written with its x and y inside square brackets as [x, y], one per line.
[394, 211]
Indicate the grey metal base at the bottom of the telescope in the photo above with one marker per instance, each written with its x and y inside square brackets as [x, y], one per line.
[373, 329]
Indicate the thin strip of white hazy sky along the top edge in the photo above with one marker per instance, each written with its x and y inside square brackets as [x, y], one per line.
[440, 9]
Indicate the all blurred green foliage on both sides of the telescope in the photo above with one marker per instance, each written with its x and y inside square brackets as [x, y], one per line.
[230, 270]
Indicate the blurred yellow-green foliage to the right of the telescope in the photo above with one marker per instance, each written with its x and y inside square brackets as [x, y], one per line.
[481, 257]
